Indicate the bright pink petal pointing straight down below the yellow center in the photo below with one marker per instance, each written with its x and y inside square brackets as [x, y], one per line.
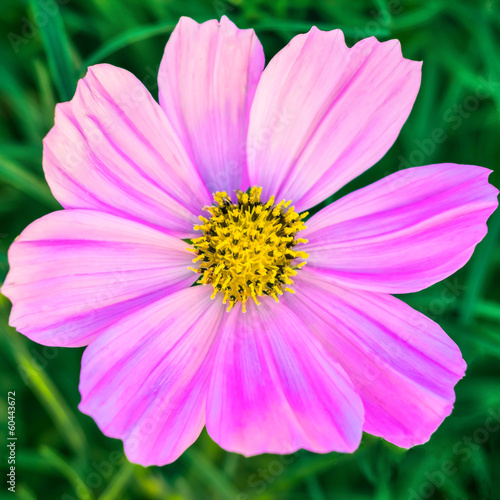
[275, 390]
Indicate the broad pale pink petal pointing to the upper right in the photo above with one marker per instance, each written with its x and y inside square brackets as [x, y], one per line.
[324, 113]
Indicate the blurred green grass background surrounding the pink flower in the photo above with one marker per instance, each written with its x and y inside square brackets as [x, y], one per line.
[45, 46]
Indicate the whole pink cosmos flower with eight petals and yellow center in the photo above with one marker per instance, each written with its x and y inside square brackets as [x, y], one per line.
[310, 369]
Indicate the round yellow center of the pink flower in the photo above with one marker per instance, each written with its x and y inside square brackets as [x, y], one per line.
[248, 248]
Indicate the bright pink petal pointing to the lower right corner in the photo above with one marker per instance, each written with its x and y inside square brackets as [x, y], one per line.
[402, 364]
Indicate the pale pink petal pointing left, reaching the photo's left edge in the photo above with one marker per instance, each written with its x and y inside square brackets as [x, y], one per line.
[74, 272]
